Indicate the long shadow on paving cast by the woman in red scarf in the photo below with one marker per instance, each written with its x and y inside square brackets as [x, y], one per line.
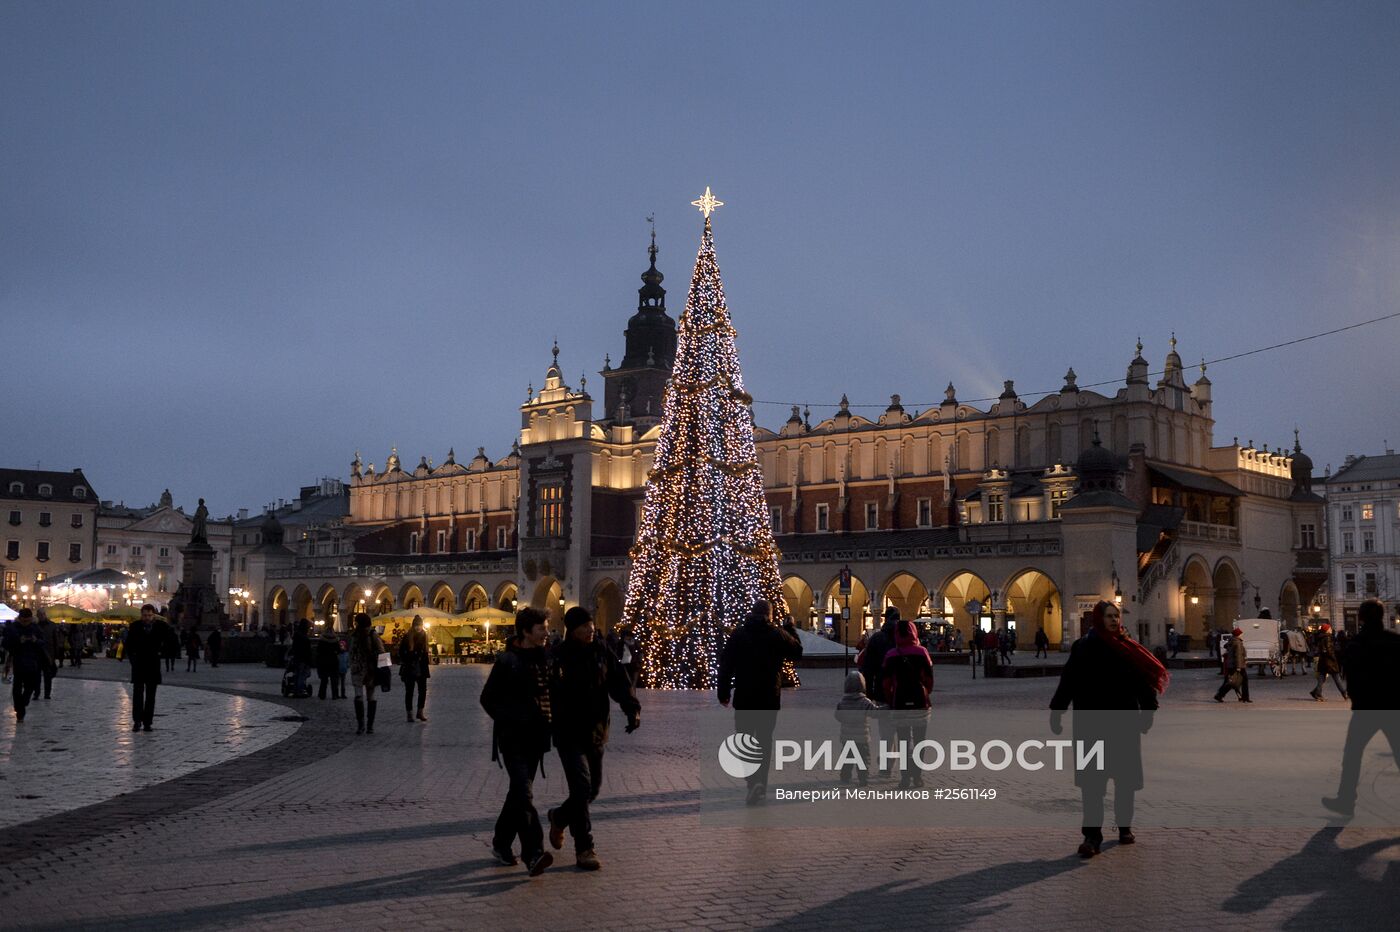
[946, 905]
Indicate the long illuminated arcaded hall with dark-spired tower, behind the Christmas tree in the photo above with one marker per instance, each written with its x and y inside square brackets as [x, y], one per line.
[1014, 514]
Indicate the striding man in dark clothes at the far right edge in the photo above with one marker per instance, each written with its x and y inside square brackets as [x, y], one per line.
[1373, 665]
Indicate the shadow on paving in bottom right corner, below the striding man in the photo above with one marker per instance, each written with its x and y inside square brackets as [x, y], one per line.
[1347, 888]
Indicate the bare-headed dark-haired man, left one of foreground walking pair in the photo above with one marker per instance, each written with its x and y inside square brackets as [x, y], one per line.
[517, 699]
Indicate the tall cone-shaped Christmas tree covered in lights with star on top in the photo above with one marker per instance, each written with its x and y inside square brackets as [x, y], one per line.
[705, 549]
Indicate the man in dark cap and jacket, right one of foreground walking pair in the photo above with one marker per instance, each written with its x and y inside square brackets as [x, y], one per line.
[583, 678]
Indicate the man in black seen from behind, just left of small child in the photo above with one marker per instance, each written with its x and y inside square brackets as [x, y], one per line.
[751, 674]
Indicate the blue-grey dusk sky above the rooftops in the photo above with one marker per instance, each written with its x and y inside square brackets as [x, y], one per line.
[241, 241]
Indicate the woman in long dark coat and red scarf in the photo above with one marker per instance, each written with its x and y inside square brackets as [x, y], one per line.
[1109, 675]
